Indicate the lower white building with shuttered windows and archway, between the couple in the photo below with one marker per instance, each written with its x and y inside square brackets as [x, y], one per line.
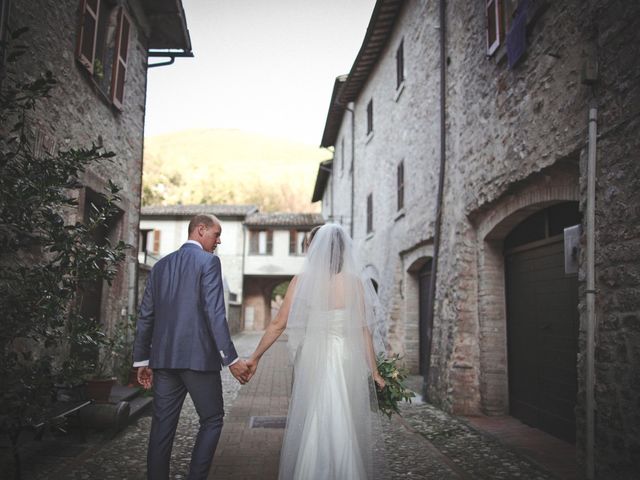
[274, 252]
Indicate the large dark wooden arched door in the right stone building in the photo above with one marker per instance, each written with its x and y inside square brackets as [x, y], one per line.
[542, 321]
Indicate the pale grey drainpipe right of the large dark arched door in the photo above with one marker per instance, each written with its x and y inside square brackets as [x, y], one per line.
[591, 290]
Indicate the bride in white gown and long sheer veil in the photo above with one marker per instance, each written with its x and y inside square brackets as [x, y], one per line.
[333, 427]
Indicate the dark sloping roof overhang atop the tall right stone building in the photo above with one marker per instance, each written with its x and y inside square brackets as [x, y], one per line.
[375, 40]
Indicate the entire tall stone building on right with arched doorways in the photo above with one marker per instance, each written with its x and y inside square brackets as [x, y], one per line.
[462, 141]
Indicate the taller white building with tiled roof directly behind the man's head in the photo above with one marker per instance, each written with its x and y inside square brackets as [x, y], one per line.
[163, 229]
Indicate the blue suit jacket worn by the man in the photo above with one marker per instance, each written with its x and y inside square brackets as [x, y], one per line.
[182, 321]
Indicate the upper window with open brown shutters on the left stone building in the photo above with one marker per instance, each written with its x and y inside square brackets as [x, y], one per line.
[103, 47]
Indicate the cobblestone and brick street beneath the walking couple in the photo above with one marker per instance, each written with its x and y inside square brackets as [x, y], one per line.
[423, 443]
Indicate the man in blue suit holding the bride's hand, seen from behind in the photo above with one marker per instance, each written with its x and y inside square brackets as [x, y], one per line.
[182, 342]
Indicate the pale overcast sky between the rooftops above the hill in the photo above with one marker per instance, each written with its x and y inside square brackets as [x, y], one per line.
[264, 66]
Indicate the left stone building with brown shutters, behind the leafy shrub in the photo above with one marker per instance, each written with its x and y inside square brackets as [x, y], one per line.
[99, 50]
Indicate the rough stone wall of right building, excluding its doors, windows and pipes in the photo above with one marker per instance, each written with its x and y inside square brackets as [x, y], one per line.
[516, 143]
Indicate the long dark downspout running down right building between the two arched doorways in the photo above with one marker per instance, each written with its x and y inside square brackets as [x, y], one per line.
[438, 219]
